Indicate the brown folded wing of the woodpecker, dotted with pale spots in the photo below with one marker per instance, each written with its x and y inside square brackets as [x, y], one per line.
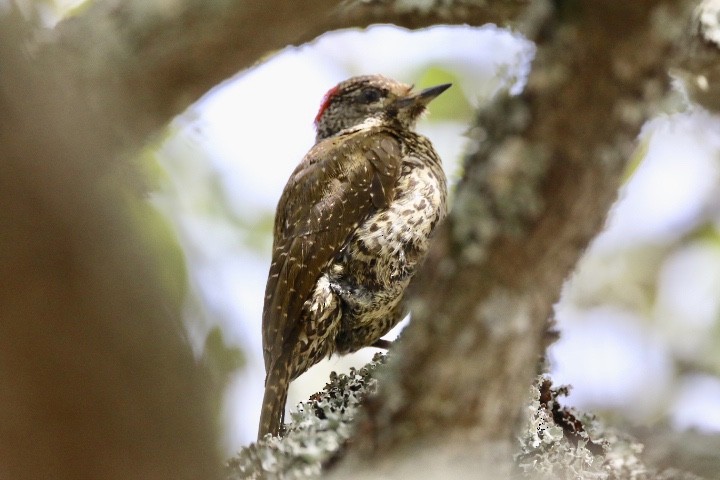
[336, 186]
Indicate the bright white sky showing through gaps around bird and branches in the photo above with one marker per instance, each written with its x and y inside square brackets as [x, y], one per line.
[255, 128]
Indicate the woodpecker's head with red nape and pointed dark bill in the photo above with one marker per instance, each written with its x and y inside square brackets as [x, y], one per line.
[359, 99]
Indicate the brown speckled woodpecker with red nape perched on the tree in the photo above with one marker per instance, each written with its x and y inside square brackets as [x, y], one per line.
[351, 227]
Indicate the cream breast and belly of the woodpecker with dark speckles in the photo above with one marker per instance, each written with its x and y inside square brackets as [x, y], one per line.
[374, 268]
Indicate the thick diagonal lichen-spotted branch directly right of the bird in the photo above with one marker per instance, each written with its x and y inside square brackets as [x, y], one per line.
[541, 175]
